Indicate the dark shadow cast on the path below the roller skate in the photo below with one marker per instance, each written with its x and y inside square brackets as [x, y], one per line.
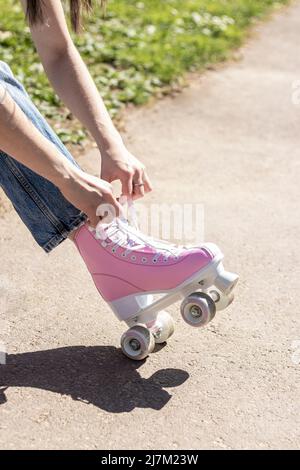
[98, 375]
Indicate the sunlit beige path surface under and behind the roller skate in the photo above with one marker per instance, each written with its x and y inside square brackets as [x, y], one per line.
[231, 142]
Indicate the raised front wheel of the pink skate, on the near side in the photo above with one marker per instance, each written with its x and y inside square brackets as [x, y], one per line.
[198, 309]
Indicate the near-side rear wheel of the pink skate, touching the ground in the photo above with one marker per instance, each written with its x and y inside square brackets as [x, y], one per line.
[137, 342]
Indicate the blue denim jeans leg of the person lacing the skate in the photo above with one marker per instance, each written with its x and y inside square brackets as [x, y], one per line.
[41, 206]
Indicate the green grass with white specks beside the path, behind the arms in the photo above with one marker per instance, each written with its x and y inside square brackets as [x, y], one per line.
[139, 49]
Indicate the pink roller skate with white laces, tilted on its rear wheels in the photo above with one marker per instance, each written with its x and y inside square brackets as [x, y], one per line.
[130, 270]
